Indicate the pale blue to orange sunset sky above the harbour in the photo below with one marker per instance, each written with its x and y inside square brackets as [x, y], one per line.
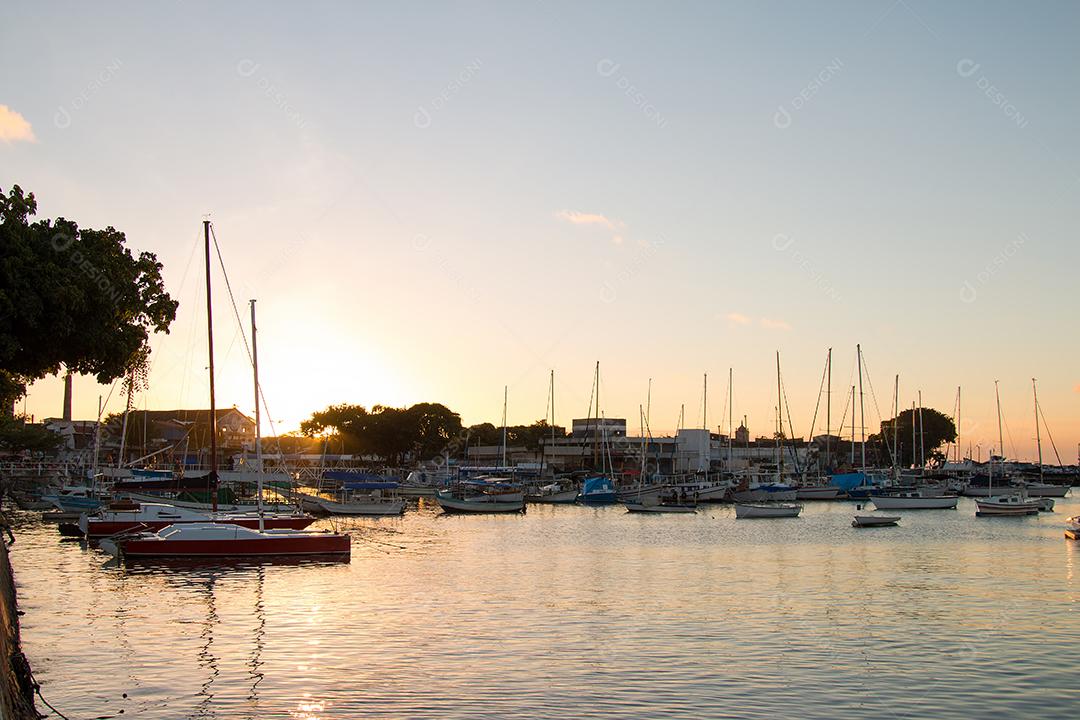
[433, 202]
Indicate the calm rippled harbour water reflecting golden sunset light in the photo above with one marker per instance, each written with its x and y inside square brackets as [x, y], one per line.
[575, 613]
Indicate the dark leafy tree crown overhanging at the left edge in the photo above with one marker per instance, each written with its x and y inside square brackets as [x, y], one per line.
[73, 297]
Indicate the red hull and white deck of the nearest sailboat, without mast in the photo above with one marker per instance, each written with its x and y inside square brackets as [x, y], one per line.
[214, 540]
